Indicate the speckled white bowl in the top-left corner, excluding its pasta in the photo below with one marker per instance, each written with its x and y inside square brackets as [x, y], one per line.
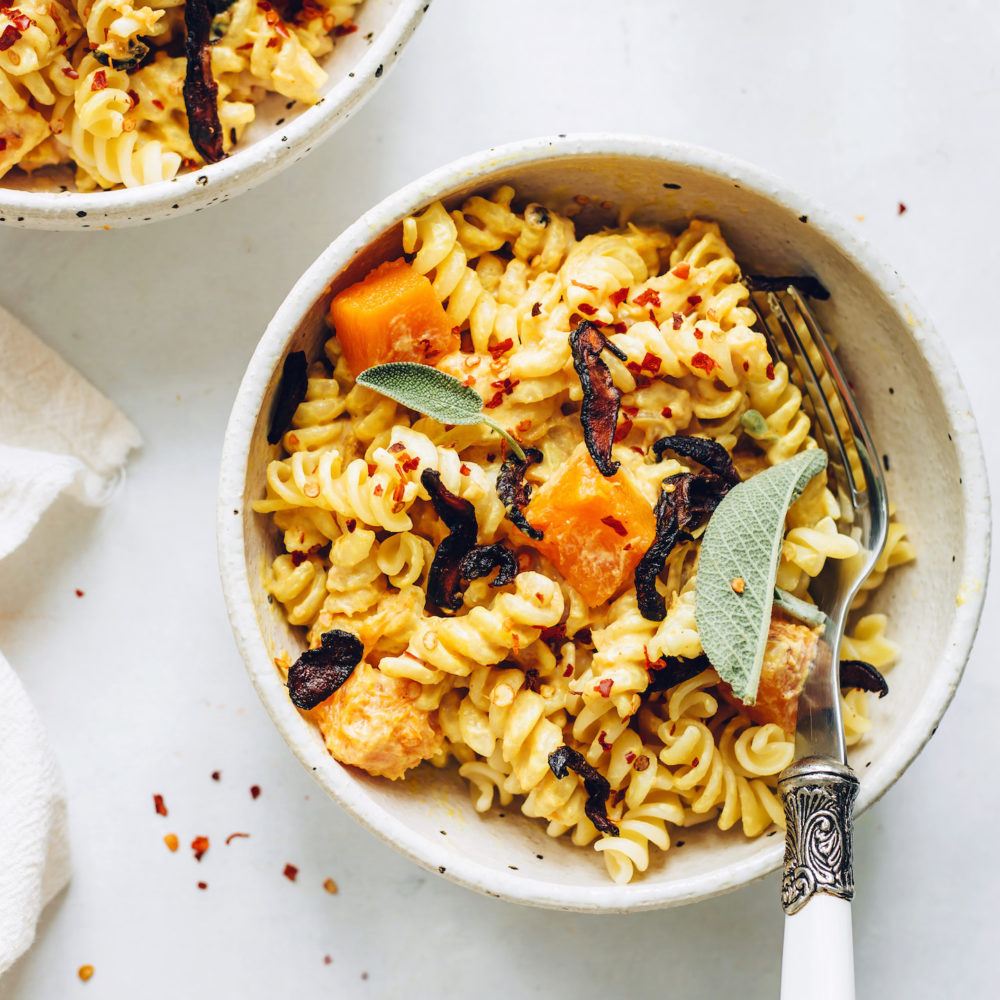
[282, 133]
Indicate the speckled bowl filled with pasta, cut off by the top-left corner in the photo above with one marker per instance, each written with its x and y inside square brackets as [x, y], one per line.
[106, 131]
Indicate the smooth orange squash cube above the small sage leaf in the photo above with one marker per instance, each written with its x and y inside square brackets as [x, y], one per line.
[393, 315]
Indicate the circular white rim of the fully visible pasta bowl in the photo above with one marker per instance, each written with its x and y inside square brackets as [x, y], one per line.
[637, 895]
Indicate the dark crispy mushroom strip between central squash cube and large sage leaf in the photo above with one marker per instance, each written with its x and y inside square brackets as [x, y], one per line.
[686, 501]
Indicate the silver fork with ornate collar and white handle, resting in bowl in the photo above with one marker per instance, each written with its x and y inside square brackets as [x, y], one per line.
[819, 788]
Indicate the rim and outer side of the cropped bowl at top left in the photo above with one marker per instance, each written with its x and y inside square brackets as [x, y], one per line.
[247, 167]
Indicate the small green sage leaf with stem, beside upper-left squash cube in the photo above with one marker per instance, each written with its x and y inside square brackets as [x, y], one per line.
[434, 393]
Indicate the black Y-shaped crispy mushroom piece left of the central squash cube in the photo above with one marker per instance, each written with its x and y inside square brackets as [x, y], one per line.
[458, 559]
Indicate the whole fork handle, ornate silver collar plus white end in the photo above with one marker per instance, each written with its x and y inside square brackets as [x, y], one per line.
[817, 883]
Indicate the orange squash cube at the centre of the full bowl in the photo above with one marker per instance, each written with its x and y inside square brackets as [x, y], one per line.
[596, 528]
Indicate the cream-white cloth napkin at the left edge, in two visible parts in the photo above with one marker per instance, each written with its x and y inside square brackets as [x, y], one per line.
[57, 433]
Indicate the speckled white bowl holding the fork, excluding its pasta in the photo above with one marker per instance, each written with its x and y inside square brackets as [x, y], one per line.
[907, 386]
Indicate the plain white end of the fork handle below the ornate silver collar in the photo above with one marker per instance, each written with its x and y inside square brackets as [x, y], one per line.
[817, 959]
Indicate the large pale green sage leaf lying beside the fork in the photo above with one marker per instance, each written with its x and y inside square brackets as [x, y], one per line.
[737, 567]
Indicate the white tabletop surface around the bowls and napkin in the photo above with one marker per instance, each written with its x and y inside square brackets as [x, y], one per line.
[863, 104]
